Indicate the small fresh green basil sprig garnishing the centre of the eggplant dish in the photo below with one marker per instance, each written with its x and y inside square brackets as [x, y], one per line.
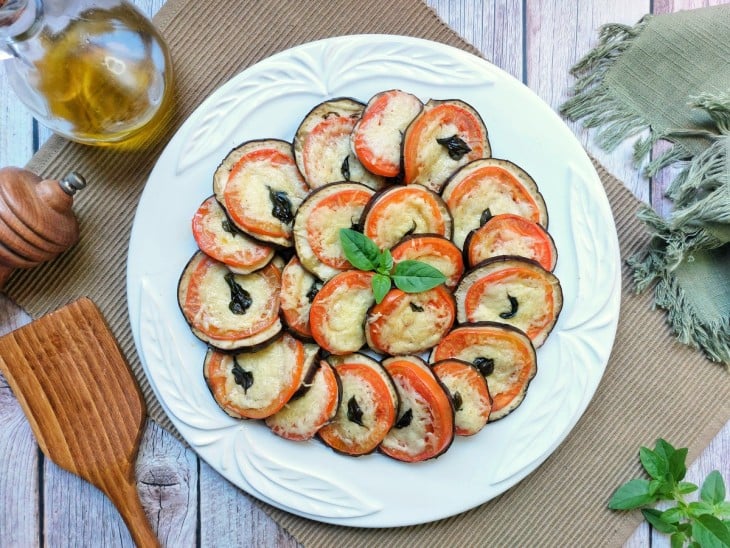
[409, 276]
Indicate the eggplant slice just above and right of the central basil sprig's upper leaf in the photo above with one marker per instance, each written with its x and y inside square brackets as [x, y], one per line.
[400, 211]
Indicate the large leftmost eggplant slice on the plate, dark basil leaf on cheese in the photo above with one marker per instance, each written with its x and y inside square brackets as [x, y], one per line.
[229, 311]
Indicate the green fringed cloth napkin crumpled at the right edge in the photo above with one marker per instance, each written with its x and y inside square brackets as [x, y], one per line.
[670, 74]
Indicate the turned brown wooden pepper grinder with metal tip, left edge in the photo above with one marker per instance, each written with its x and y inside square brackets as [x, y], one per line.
[36, 220]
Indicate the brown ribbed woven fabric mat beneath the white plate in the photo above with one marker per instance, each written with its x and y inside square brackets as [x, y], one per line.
[652, 386]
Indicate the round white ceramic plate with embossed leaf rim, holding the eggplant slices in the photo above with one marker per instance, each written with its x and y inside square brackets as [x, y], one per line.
[308, 479]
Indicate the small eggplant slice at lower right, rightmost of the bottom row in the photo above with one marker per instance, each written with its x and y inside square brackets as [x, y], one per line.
[469, 393]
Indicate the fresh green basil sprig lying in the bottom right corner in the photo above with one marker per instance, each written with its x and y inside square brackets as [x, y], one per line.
[704, 522]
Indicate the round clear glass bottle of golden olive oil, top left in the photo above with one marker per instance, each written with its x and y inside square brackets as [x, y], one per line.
[97, 74]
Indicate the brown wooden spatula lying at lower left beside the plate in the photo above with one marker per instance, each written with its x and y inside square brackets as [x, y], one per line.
[83, 404]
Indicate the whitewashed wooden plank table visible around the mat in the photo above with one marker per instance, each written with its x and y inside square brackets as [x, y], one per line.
[188, 503]
